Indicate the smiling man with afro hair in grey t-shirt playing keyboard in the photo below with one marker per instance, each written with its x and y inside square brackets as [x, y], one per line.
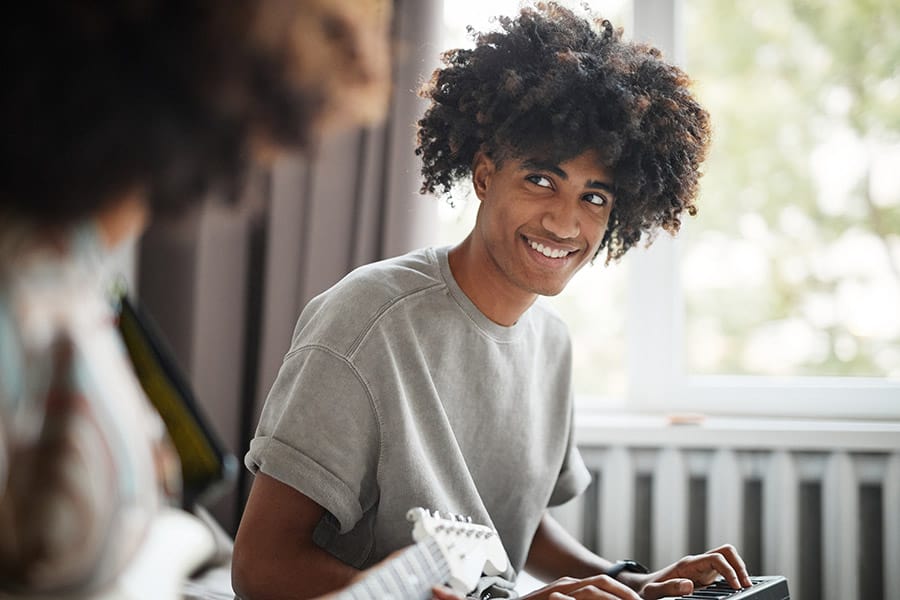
[439, 378]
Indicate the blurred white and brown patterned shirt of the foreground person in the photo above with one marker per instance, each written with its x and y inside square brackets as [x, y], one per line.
[84, 459]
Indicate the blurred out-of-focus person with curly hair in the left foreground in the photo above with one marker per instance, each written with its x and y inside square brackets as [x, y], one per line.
[114, 111]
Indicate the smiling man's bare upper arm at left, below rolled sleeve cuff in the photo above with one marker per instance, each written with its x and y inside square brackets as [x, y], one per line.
[274, 554]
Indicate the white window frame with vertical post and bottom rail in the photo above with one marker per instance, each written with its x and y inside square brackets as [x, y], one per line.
[656, 376]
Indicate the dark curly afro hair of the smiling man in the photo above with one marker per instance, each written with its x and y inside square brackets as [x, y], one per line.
[551, 84]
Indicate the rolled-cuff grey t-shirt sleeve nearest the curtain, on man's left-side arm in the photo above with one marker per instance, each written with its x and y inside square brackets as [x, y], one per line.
[318, 433]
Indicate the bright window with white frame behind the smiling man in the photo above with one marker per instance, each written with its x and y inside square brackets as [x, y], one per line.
[783, 296]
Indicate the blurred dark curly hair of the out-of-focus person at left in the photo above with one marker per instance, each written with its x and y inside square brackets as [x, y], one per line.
[174, 98]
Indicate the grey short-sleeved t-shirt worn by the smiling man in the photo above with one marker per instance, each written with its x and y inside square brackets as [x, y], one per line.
[398, 392]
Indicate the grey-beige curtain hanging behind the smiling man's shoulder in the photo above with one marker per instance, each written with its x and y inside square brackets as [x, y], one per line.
[226, 285]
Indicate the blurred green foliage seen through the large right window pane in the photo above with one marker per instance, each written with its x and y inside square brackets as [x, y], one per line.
[792, 266]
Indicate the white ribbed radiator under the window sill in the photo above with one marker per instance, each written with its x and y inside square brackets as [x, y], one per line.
[816, 502]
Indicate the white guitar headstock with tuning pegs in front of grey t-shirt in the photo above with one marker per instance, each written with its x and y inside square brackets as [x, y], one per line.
[470, 549]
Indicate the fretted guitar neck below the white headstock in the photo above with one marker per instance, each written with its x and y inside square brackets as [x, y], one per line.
[409, 575]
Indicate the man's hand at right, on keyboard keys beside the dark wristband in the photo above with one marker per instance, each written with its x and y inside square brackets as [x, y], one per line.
[680, 578]
